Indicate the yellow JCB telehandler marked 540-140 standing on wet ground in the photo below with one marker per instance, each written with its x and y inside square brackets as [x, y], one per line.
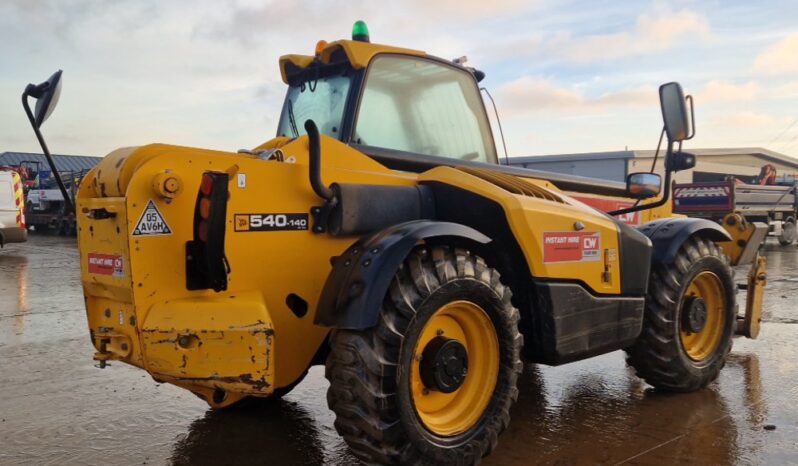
[378, 234]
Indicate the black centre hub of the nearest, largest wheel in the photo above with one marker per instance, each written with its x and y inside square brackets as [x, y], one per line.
[444, 364]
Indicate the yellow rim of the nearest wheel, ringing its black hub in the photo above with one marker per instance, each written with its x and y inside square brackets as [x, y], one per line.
[449, 414]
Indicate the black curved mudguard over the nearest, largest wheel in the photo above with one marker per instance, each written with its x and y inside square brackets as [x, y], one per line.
[360, 277]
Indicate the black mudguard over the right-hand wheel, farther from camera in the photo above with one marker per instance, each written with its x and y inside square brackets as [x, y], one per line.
[668, 235]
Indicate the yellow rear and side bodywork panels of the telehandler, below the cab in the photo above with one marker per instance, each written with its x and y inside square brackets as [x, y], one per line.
[246, 341]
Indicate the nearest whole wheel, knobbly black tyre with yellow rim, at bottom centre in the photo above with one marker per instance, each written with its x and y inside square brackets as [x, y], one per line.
[433, 381]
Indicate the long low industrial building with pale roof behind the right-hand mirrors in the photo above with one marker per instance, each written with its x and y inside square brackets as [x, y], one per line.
[711, 164]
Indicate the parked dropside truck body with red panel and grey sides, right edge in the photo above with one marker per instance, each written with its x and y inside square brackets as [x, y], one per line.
[771, 204]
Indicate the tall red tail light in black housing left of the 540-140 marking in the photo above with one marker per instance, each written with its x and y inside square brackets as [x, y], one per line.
[206, 264]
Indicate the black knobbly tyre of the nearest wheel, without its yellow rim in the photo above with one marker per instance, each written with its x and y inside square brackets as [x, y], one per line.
[362, 364]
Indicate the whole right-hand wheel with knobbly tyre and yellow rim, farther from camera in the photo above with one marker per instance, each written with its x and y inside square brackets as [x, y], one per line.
[689, 319]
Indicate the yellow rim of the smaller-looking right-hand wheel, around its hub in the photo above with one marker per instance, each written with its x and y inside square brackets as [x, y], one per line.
[702, 345]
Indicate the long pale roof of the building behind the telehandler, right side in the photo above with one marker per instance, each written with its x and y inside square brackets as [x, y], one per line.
[757, 152]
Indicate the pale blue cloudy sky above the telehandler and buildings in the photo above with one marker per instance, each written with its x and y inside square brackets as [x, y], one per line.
[568, 76]
